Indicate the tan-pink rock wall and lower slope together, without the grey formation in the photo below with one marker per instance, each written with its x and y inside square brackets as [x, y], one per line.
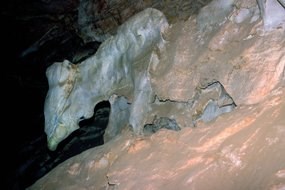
[242, 149]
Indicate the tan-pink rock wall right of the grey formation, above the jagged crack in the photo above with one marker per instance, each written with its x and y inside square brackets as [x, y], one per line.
[244, 59]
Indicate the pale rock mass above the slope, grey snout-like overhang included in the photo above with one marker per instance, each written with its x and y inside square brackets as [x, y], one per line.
[171, 80]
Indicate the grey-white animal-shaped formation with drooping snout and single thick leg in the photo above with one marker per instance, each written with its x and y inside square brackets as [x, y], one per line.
[120, 66]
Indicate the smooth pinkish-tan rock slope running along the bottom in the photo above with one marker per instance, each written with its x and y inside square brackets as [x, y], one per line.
[241, 150]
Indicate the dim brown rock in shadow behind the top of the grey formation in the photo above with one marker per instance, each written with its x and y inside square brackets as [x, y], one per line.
[99, 19]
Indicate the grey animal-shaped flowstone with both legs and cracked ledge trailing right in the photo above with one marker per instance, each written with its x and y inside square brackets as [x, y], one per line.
[120, 73]
